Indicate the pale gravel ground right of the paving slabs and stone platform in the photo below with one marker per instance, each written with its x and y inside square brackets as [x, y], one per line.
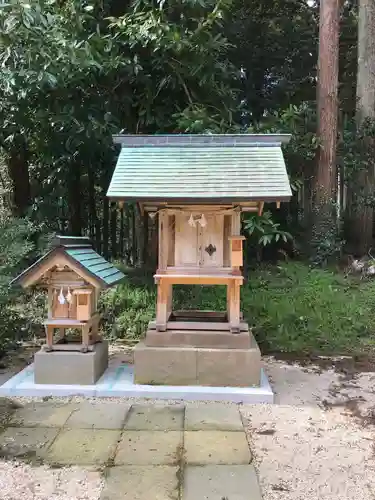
[317, 441]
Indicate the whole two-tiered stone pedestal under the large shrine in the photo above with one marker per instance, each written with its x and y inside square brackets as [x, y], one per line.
[203, 357]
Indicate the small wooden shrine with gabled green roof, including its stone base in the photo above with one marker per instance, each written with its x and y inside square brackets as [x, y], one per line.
[73, 274]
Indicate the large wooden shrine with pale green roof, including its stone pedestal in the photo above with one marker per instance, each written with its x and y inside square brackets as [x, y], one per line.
[197, 186]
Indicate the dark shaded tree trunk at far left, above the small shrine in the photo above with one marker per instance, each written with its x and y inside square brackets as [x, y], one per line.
[18, 170]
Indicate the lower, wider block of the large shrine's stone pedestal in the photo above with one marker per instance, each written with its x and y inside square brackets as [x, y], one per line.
[205, 366]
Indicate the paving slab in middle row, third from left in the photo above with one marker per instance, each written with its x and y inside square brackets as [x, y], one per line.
[149, 448]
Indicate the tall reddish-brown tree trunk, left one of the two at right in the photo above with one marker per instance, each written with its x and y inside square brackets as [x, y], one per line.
[324, 185]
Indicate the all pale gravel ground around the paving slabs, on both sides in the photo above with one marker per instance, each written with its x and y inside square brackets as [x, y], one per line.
[315, 443]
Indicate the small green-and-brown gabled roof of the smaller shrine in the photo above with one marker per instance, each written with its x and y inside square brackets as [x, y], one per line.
[80, 251]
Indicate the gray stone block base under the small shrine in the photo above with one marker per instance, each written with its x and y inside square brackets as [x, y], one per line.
[75, 368]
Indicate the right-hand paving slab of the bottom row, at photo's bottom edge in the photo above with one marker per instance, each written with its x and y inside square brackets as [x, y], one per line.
[218, 482]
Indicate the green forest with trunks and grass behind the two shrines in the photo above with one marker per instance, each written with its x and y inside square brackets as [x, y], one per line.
[74, 72]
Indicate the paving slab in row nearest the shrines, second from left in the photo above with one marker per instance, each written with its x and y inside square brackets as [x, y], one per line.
[98, 415]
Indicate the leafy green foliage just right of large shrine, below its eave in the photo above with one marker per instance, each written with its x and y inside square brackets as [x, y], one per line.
[264, 230]
